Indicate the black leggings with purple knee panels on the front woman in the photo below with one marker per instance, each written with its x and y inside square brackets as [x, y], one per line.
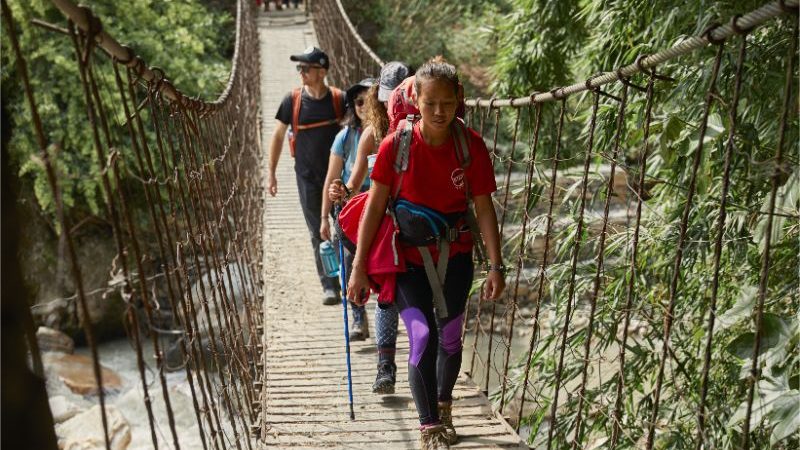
[435, 355]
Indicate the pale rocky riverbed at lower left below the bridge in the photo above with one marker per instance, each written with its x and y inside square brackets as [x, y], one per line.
[75, 403]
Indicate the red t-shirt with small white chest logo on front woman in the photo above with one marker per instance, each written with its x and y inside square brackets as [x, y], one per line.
[435, 179]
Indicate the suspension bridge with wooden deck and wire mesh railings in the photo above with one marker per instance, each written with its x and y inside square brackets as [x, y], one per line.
[212, 255]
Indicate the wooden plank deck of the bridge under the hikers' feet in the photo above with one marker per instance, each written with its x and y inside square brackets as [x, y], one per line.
[305, 402]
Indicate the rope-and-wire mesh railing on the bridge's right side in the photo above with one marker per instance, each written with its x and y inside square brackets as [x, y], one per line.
[629, 320]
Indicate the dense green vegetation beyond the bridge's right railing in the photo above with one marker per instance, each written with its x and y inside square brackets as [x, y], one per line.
[520, 46]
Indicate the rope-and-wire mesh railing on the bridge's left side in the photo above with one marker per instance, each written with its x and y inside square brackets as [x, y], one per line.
[183, 197]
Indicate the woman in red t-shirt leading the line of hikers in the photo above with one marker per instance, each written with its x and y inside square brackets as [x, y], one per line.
[434, 179]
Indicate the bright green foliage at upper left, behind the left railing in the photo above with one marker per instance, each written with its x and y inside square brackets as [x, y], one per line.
[183, 38]
